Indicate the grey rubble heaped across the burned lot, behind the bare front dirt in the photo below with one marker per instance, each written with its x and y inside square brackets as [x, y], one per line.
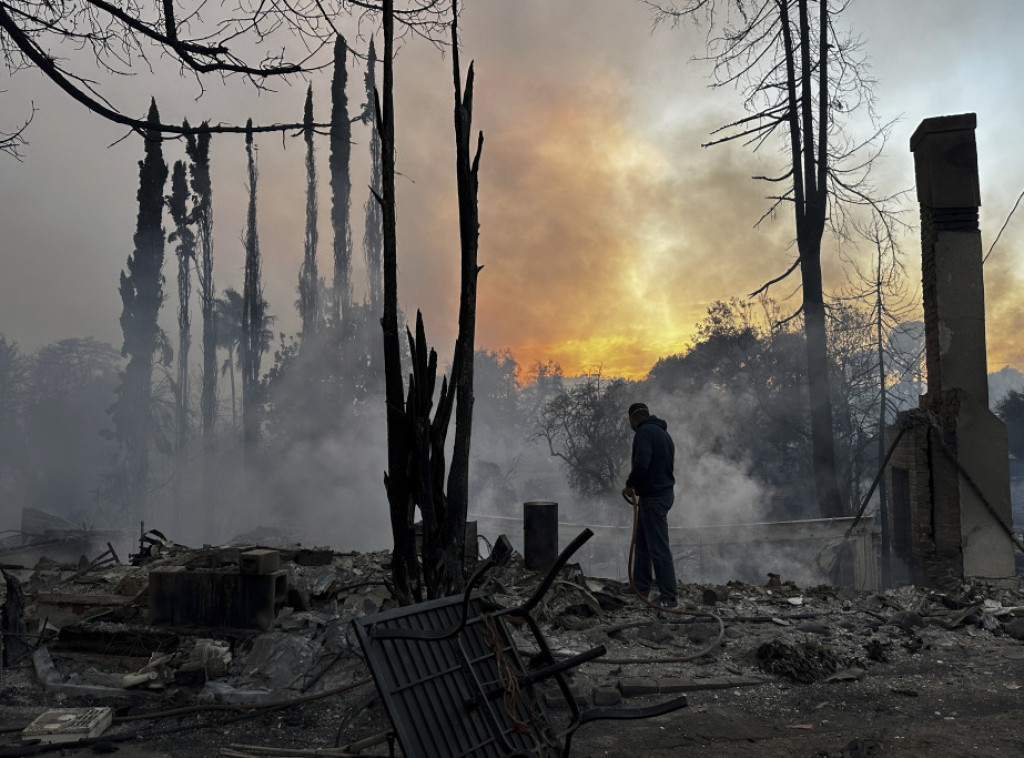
[300, 682]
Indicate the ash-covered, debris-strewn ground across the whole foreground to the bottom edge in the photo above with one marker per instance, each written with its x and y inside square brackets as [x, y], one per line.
[799, 671]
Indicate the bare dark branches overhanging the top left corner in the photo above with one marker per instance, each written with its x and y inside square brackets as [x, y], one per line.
[120, 34]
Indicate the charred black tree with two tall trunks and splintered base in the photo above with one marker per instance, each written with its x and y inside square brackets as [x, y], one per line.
[416, 444]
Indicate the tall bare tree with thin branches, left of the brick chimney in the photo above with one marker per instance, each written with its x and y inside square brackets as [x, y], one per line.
[798, 74]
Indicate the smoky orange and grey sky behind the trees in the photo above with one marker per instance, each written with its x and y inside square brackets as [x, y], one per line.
[606, 229]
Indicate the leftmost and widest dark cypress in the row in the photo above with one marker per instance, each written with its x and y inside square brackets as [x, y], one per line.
[142, 297]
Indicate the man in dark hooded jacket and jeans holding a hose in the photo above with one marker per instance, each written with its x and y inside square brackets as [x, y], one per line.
[652, 481]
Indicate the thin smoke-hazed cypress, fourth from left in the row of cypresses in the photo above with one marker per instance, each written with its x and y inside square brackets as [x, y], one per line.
[253, 320]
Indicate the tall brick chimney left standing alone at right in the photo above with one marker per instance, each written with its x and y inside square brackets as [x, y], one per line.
[950, 478]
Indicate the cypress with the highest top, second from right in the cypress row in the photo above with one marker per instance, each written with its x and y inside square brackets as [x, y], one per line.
[342, 187]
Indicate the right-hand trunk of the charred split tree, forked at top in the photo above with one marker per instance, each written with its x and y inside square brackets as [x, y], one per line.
[467, 172]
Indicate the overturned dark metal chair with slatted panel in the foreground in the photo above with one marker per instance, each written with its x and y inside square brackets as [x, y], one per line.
[454, 683]
